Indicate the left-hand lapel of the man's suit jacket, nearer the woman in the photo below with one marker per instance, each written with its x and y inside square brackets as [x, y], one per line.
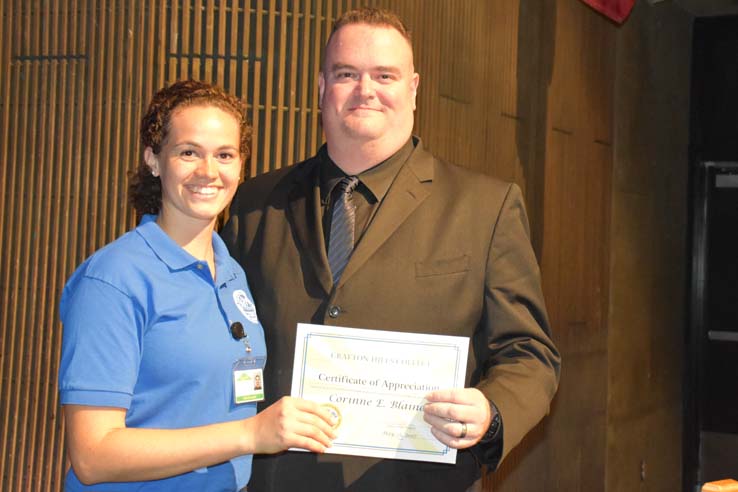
[305, 219]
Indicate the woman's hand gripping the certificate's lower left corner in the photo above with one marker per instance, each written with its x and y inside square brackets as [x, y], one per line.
[292, 422]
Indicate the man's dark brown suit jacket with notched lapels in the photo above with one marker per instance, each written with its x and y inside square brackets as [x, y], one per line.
[447, 252]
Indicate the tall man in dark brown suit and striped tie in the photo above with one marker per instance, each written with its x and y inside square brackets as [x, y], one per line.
[436, 249]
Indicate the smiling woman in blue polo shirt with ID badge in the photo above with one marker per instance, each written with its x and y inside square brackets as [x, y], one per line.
[161, 339]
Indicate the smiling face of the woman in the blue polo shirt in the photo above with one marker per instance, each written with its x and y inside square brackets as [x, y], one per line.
[199, 165]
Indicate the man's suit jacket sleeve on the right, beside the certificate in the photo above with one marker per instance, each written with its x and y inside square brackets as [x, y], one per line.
[522, 365]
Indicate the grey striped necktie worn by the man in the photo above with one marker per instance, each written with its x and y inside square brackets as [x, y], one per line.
[341, 241]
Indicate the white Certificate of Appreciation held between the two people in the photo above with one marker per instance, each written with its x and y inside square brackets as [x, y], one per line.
[375, 382]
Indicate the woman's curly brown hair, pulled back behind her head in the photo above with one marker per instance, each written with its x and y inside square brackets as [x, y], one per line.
[144, 192]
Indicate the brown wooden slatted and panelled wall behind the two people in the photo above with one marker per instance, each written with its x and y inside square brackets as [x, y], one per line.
[521, 89]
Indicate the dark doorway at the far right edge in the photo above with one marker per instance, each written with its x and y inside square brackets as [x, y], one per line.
[711, 406]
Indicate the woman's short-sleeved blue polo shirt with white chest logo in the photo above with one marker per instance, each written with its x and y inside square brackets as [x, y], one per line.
[147, 329]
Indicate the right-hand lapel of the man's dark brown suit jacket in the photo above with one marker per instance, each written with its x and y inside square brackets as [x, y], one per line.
[406, 193]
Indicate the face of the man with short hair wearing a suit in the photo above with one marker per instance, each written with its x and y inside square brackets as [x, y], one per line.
[368, 85]
